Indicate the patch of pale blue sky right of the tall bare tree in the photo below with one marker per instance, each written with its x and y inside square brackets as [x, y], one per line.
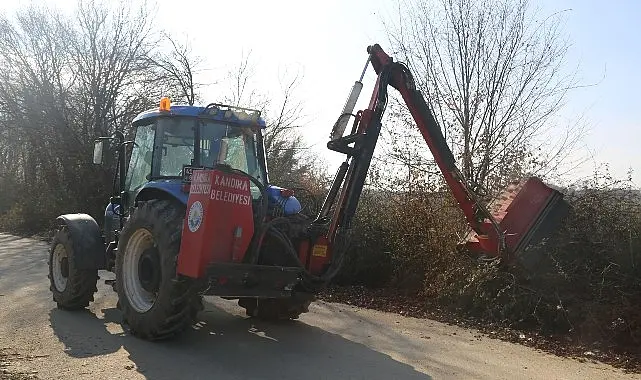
[606, 45]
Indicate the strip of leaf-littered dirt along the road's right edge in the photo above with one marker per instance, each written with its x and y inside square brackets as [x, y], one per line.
[388, 300]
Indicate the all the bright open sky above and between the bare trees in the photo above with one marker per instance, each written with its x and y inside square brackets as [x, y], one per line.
[326, 41]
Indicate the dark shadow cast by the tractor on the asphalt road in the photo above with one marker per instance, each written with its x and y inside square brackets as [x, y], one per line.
[230, 346]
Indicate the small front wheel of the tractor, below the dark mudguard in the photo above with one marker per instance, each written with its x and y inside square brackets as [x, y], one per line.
[72, 288]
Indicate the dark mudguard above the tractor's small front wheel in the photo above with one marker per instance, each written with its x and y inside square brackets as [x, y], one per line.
[87, 240]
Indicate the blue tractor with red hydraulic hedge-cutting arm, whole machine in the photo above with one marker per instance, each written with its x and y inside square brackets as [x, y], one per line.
[195, 213]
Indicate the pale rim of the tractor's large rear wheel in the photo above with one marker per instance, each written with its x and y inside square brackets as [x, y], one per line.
[141, 275]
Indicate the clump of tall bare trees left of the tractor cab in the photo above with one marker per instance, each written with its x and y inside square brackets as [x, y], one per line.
[66, 81]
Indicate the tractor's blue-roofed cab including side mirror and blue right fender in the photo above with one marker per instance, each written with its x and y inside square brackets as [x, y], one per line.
[172, 140]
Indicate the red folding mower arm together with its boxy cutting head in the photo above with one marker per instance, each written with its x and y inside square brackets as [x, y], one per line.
[512, 227]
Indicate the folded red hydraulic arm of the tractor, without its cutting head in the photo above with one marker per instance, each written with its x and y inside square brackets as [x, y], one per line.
[364, 135]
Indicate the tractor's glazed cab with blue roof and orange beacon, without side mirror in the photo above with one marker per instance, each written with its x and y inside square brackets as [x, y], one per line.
[172, 140]
